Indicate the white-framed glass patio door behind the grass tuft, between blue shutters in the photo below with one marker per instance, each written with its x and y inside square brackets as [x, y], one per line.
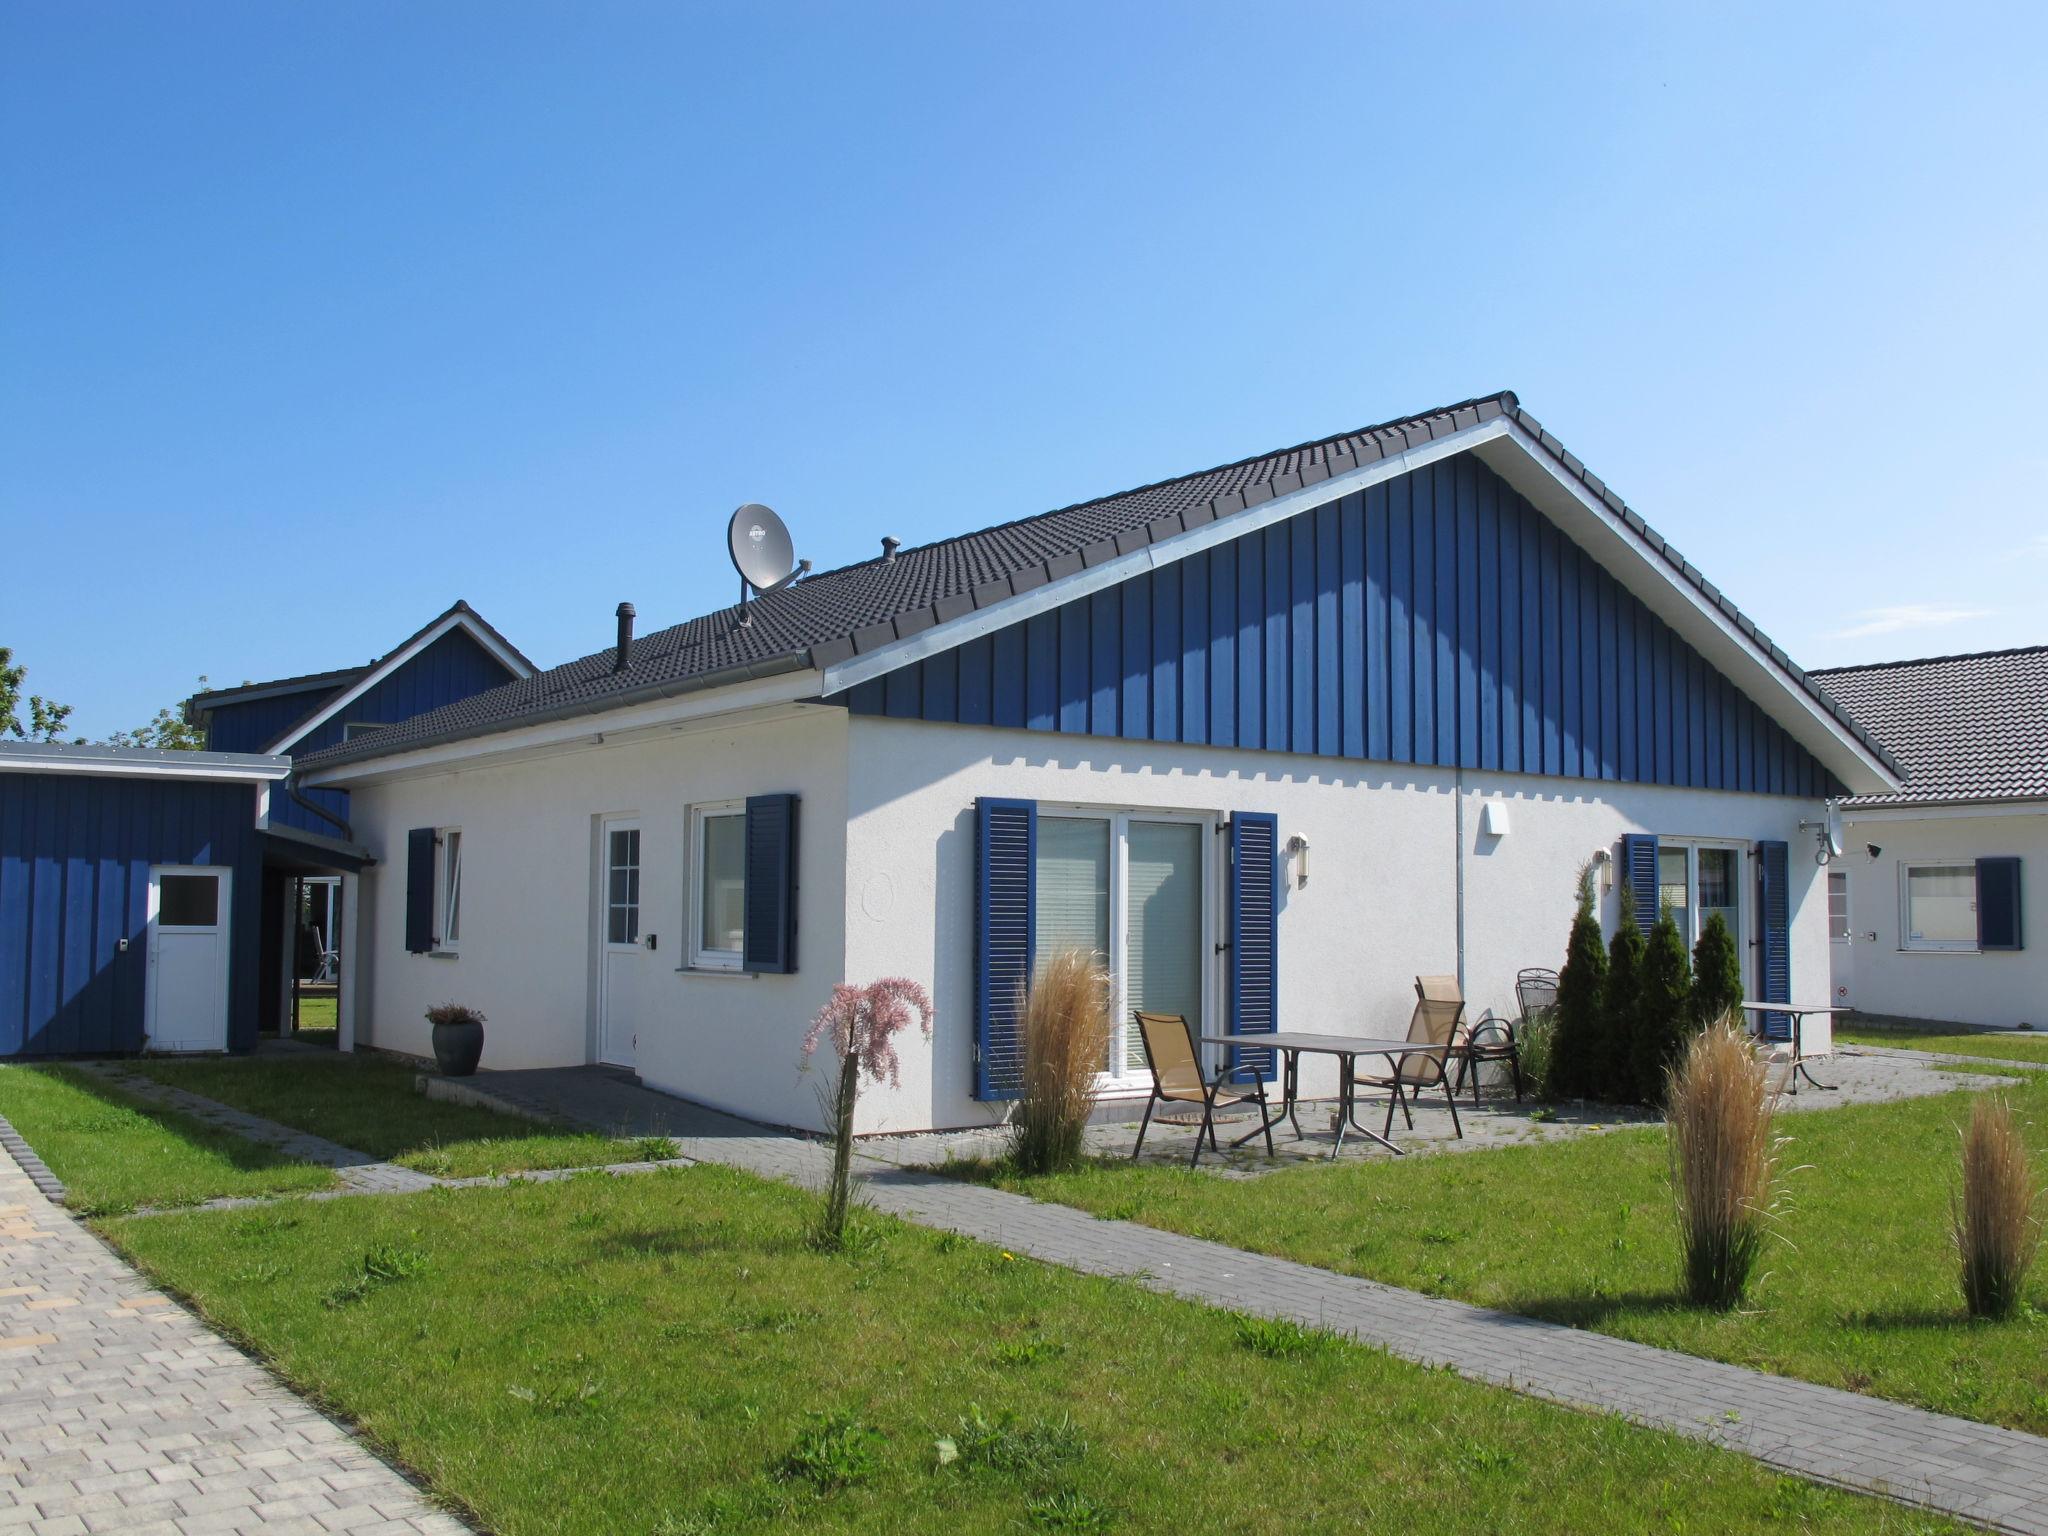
[1134, 890]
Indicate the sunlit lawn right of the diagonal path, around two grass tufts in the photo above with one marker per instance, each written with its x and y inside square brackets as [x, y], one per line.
[1861, 1295]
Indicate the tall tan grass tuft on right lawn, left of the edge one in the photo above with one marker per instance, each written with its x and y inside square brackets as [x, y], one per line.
[1723, 1164]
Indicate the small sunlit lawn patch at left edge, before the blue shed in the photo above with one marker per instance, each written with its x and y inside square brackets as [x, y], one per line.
[116, 1154]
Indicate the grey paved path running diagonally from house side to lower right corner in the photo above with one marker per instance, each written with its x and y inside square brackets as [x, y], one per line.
[1977, 1471]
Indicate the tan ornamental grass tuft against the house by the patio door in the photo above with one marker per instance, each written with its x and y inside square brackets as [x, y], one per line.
[1066, 1043]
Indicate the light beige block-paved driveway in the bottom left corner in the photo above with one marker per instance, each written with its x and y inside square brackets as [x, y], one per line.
[122, 1412]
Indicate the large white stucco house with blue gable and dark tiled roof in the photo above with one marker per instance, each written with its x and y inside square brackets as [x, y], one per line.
[1275, 738]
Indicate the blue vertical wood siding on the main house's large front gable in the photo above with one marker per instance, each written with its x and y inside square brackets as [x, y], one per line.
[1435, 620]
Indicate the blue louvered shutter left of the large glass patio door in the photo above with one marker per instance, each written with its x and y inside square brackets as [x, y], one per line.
[1007, 912]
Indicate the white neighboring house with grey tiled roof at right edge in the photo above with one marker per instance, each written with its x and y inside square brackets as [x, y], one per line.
[1928, 914]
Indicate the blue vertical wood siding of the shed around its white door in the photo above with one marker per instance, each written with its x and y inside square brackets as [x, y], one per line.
[75, 882]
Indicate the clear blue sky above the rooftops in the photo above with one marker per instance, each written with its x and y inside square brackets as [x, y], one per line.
[316, 318]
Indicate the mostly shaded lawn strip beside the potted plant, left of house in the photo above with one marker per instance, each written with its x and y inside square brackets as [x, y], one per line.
[374, 1107]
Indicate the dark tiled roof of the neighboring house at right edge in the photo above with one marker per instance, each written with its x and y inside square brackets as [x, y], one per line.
[1967, 728]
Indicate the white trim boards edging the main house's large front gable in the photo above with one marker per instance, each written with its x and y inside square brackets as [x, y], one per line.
[1523, 462]
